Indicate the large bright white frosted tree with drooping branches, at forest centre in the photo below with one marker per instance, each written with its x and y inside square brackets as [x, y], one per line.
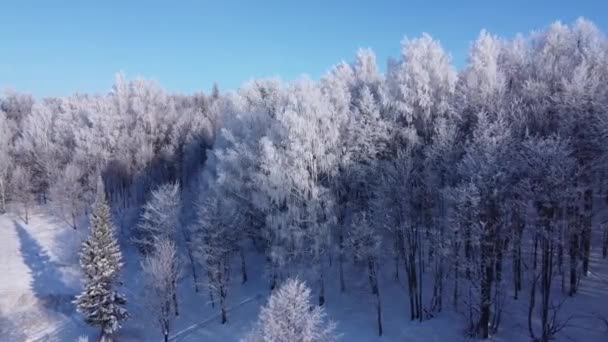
[297, 163]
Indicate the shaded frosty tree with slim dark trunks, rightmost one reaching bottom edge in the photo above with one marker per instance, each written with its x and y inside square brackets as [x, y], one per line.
[551, 167]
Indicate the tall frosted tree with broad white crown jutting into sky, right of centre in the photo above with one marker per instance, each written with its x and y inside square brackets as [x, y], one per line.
[421, 88]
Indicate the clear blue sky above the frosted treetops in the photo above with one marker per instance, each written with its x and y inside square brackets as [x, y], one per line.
[51, 48]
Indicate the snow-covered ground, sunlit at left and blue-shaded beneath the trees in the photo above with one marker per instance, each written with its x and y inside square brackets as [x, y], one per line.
[39, 275]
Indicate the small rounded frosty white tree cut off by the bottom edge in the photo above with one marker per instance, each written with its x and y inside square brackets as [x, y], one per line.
[290, 316]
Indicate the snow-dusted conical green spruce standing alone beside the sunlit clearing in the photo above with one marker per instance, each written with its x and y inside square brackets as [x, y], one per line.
[100, 259]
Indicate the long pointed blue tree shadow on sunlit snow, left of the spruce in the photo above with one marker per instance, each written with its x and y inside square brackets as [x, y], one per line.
[47, 280]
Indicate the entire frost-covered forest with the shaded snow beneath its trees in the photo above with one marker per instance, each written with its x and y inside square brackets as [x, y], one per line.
[470, 201]
